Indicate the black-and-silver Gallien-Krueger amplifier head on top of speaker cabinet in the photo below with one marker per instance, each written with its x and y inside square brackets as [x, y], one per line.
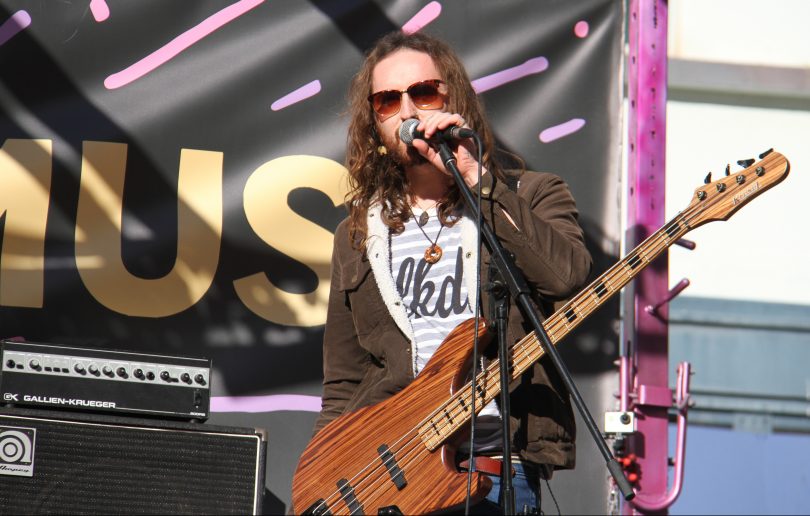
[60, 377]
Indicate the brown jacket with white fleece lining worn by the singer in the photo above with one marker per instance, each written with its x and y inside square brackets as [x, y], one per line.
[368, 339]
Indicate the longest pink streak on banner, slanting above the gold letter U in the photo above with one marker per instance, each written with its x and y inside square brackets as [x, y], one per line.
[179, 44]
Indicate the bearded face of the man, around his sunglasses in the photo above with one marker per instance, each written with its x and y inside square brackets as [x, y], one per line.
[397, 72]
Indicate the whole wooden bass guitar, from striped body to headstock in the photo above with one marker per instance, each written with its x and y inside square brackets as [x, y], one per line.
[398, 456]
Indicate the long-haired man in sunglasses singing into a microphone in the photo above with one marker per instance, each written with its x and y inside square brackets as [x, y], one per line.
[404, 261]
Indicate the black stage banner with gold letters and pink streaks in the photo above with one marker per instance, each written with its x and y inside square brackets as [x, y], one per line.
[171, 172]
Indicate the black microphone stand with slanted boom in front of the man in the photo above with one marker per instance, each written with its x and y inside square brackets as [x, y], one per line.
[515, 283]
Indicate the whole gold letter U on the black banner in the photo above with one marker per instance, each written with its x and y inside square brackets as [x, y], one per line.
[98, 233]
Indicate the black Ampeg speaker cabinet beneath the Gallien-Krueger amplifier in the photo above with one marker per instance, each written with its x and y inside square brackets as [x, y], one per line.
[54, 462]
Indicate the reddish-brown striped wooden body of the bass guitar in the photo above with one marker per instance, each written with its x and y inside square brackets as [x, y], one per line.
[345, 452]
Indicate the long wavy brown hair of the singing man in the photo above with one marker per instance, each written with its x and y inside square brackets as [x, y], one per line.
[375, 177]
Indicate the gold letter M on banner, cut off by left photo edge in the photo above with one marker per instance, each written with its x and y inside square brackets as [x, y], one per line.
[25, 192]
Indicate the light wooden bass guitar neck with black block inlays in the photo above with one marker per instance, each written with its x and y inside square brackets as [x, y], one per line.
[438, 427]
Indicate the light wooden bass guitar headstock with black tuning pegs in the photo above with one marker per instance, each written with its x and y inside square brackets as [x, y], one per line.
[719, 200]
